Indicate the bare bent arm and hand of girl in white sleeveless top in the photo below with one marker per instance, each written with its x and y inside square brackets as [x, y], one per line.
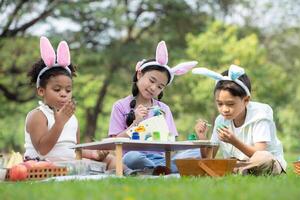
[43, 139]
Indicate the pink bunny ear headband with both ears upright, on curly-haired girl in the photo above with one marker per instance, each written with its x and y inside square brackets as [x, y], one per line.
[49, 57]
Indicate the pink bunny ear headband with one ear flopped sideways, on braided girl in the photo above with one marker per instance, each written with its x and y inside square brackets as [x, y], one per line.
[161, 59]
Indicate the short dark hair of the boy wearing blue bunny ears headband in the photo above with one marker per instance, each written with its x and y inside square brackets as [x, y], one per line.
[233, 87]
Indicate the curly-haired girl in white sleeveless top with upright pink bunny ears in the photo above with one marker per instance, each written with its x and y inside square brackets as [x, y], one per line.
[52, 128]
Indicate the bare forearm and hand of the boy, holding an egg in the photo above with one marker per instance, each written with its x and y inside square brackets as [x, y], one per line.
[226, 135]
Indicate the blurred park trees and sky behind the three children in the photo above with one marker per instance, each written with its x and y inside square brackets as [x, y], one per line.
[107, 38]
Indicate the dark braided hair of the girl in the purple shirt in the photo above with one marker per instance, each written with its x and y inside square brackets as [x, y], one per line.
[135, 91]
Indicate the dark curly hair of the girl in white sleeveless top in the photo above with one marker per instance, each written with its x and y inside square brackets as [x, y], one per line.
[44, 78]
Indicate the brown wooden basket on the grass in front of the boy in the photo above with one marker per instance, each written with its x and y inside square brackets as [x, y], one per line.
[205, 167]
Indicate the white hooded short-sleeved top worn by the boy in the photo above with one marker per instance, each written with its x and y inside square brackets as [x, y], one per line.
[258, 127]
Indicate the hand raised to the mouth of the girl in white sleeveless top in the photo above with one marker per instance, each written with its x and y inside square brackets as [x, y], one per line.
[65, 113]
